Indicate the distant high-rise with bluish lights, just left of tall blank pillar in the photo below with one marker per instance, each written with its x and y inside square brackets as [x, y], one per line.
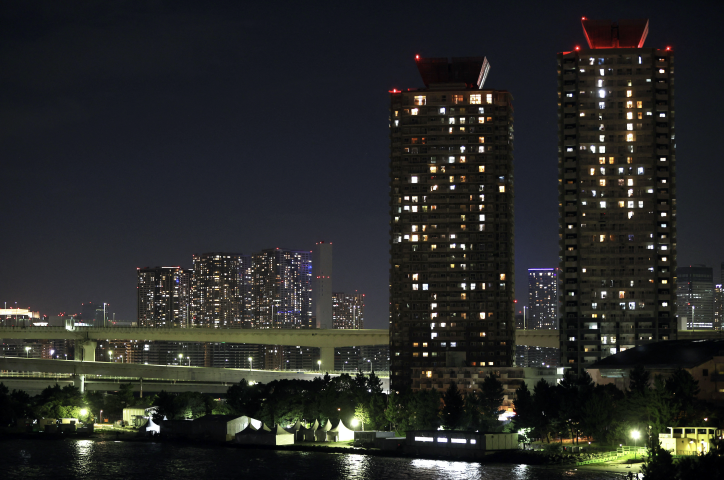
[281, 287]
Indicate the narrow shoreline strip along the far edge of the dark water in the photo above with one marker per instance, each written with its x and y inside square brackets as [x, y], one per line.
[517, 457]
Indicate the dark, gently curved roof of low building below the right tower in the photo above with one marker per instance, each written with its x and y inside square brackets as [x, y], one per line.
[667, 354]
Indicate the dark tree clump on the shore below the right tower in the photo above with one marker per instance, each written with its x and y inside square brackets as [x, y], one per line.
[576, 406]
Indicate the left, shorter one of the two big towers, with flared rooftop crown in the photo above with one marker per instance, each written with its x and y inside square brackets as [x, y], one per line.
[451, 218]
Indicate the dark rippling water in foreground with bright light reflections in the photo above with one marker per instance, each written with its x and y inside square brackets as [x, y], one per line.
[90, 459]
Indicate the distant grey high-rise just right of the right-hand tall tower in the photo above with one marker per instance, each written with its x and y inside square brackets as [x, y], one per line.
[695, 296]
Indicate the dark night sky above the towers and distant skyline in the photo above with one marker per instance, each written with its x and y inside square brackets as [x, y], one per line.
[138, 133]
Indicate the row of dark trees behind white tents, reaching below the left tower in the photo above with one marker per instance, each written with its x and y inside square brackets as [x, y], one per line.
[347, 397]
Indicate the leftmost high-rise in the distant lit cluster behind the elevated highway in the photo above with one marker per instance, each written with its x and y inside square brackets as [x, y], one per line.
[163, 296]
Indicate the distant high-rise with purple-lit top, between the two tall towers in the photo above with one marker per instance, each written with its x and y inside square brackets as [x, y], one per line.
[542, 298]
